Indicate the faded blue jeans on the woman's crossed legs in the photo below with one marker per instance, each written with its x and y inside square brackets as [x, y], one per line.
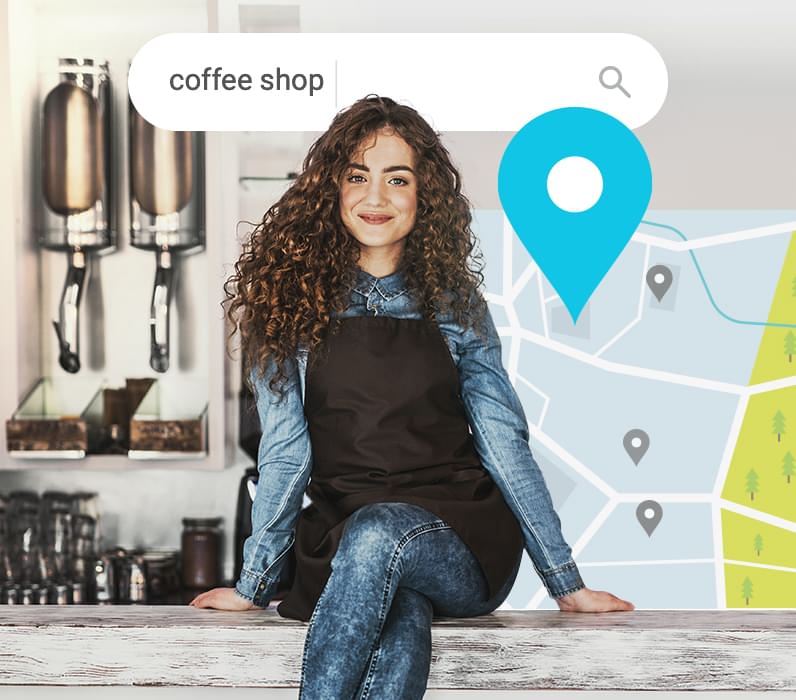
[396, 567]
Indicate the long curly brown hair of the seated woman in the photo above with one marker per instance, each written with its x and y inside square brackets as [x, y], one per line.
[298, 268]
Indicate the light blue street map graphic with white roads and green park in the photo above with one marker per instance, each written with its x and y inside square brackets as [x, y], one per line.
[665, 420]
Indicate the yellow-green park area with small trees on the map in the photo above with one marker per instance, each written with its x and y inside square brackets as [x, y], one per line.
[762, 473]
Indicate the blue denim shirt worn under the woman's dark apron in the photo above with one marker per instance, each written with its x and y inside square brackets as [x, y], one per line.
[497, 422]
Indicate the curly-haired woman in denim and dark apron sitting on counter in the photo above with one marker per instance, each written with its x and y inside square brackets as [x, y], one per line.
[377, 372]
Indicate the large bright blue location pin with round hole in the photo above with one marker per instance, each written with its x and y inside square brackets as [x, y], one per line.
[574, 249]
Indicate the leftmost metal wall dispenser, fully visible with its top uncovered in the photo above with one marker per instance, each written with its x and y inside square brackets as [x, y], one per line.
[76, 160]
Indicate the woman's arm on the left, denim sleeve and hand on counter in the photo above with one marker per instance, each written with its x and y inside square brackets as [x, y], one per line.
[284, 464]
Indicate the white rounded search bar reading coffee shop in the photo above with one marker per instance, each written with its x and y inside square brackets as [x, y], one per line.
[459, 82]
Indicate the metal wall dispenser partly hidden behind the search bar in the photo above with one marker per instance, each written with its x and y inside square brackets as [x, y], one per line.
[167, 212]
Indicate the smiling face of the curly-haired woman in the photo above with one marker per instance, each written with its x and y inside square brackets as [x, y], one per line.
[378, 198]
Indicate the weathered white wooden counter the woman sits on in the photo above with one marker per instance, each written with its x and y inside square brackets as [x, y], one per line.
[181, 645]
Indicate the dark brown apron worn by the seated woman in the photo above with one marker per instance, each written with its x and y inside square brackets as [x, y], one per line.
[387, 423]
